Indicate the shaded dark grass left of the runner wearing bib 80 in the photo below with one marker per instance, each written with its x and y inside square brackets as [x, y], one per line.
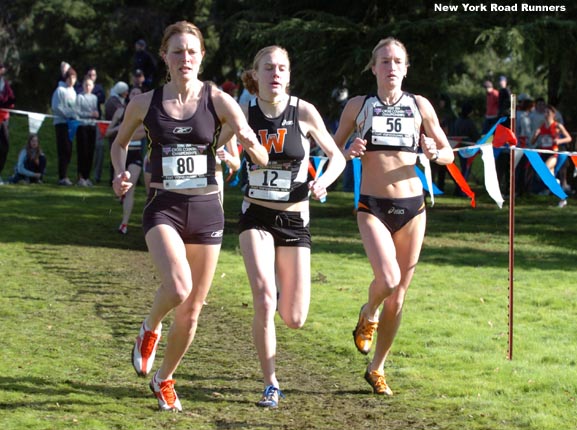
[47, 214]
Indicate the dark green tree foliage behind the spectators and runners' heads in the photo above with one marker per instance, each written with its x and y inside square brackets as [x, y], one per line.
[328, 42]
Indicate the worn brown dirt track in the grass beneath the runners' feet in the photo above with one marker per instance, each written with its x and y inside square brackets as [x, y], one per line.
[219, 380]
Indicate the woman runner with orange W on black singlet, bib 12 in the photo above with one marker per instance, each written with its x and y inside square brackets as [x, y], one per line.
[274, 226]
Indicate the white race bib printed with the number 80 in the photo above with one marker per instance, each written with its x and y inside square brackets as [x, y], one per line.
[184, 165]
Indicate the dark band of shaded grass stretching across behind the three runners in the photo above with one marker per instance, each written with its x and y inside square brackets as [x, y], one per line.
[53, 215]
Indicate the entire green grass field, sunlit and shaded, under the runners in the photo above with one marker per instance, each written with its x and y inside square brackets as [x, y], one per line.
[74, 293]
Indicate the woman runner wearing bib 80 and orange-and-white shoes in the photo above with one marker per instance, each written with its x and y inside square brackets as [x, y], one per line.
[183, 219]
